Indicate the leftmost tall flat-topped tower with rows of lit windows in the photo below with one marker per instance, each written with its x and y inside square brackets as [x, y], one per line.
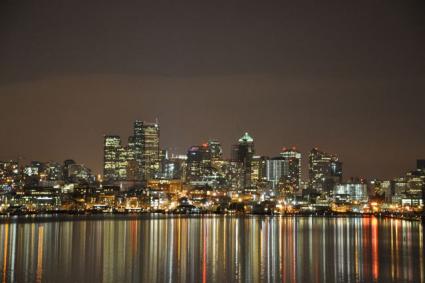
[111, 157]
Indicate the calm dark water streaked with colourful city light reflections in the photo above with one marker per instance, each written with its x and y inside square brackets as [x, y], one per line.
[213, 249]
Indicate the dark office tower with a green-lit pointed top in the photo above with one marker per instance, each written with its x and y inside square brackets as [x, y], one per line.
[242, 153]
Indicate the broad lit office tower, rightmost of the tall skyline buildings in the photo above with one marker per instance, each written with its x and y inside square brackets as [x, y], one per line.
[325, 171]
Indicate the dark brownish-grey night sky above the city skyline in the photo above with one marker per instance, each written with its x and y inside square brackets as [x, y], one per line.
[346, 77]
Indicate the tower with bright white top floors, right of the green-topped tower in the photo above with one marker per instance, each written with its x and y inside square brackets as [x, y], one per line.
[291, 174]
